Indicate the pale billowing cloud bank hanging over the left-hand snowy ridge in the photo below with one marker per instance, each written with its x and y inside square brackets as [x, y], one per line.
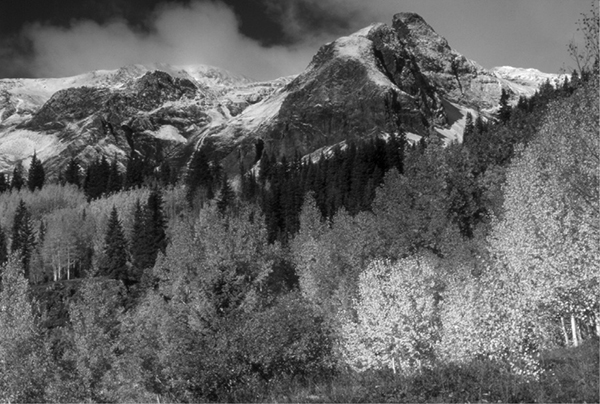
[198, 33]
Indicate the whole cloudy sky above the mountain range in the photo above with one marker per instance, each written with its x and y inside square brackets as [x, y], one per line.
[265, 39]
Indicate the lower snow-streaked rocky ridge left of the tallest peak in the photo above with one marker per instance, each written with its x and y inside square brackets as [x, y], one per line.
[129, 111]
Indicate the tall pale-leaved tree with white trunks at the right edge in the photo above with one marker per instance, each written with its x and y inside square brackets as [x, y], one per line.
[548, 241]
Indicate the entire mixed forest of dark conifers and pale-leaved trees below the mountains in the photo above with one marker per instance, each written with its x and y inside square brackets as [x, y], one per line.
[380, 270]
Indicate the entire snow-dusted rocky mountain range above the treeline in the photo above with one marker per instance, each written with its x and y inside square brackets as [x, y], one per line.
[381, 79]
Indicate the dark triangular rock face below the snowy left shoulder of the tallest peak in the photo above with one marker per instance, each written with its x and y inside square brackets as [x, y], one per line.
[345, 94]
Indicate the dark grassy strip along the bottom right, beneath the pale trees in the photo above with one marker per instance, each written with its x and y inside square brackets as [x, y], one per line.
[570, 375]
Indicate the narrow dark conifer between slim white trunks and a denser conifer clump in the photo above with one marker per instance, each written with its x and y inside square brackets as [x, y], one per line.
[114, 264]
